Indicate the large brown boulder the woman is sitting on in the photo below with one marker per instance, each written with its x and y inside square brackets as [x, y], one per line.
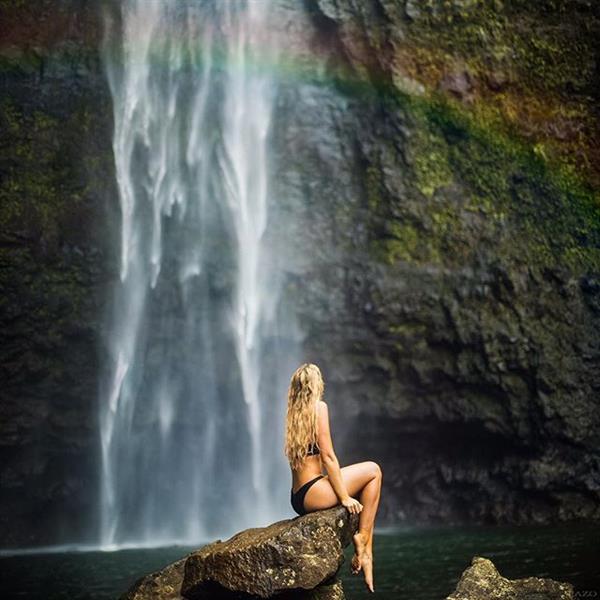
[295, 558]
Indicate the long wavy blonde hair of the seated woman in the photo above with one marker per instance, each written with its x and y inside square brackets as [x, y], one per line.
[305, 390]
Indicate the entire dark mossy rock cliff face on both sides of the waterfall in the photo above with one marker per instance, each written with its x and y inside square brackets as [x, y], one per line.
[437, 166]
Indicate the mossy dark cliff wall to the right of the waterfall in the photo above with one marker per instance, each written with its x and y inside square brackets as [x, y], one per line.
[441, 158]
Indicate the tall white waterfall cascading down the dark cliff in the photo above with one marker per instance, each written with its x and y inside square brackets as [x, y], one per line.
[191, 422]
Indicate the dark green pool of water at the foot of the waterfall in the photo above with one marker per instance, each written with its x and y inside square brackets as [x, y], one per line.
[415, 563]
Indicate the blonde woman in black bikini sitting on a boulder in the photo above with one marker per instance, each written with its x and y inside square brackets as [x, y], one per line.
[308, 447]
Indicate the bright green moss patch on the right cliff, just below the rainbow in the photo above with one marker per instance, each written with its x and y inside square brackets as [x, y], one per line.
[530, 208]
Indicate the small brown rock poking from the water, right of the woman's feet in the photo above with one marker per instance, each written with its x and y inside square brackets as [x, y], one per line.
[481, 581]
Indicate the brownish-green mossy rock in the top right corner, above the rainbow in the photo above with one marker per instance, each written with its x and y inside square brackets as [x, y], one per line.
[545, 52]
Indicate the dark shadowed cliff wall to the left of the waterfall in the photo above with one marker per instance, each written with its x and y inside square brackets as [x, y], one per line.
[55, 177]
